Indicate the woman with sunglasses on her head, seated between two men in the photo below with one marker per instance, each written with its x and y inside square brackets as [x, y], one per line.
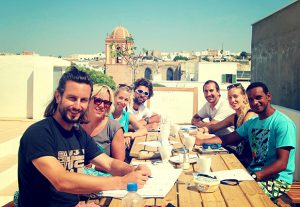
[238, 101]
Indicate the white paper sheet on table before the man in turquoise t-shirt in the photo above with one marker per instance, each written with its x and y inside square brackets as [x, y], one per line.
[239, 174]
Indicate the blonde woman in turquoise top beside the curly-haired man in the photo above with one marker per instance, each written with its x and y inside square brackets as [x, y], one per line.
[122, 98]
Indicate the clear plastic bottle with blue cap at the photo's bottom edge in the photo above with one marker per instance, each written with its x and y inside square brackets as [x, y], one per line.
[132, 198]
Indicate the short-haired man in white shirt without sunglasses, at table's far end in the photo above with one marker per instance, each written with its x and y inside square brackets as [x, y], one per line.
[215, 109]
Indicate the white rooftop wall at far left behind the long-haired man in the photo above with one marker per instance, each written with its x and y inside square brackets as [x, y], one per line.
[26, 84]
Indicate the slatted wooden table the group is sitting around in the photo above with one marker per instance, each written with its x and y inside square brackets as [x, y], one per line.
[184, 192]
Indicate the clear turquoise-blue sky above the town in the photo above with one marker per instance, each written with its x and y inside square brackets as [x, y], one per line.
[63, 27]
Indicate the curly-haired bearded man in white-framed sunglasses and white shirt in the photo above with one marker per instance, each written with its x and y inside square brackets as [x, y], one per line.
[143, 90]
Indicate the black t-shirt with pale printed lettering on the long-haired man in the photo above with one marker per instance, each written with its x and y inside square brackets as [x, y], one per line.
[73, 149]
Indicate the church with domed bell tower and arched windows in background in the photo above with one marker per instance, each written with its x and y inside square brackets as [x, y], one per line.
[149, 66]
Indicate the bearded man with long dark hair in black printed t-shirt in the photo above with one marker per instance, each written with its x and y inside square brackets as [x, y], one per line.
[53, 152]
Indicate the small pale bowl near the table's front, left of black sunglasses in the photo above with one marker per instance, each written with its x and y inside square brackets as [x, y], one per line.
[206, 183]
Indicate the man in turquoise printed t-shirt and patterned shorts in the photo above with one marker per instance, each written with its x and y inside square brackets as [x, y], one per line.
[272, 137]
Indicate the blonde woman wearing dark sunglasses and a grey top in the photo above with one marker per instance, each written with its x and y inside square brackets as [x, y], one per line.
[107, 133]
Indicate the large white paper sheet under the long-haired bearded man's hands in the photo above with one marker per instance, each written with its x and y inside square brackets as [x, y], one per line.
[164, 175]
